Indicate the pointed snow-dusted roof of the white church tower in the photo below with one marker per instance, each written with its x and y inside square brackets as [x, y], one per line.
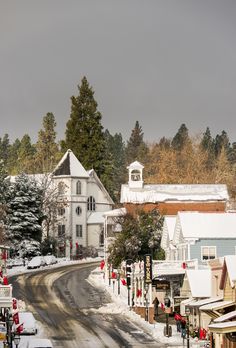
[71, 166]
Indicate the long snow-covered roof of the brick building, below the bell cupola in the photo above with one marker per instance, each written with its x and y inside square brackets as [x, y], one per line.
[173, 193]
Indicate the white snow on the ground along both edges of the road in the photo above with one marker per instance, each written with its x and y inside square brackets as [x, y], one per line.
[118, 305]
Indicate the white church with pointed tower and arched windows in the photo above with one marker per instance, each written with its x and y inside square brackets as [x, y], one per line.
[80, 221]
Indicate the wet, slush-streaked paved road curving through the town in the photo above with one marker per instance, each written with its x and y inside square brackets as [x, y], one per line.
[65, 303]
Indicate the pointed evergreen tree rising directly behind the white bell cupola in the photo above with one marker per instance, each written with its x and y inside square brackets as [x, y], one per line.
[136, 149]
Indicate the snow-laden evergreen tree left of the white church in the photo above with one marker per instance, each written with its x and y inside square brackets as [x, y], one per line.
[25, 214]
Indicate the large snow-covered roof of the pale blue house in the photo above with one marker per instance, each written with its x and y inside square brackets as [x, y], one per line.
[195, 225]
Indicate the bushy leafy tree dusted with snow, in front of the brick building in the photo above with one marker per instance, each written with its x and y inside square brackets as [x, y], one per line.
[139, 235]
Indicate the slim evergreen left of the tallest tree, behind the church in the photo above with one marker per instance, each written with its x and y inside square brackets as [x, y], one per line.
[47, 148]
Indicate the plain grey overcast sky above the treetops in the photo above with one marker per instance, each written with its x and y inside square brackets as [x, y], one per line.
[160, 62]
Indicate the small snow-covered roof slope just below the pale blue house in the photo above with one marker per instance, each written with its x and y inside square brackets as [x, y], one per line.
[196, 277]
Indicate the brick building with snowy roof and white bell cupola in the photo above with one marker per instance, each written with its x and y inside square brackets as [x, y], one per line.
[170, 198]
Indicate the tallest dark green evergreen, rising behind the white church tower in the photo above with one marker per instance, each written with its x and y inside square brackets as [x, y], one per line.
[84, 134]
